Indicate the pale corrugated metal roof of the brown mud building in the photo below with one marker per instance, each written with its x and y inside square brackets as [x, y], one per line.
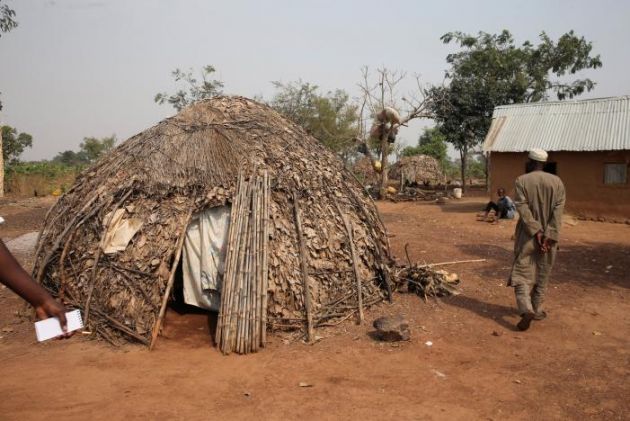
[577, 125]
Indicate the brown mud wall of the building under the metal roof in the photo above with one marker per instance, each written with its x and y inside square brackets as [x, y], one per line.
[583, 177]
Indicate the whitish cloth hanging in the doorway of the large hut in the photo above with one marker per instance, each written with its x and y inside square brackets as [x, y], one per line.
[203, 257]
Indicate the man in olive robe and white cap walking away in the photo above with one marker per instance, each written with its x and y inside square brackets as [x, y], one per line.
[539, 200]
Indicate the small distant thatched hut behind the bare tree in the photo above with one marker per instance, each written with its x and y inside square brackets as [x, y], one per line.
[417, 169]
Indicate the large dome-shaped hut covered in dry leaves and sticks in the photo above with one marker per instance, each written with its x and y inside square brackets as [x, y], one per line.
[280, 212]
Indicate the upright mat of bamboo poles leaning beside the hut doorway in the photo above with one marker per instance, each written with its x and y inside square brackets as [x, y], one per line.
[242, 323]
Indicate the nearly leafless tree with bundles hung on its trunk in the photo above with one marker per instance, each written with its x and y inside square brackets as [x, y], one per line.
[381, 104]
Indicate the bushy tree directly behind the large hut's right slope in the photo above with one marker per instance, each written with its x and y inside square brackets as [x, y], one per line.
[331, 117]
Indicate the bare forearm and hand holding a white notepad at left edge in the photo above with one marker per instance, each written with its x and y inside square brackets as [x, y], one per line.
[16, 278]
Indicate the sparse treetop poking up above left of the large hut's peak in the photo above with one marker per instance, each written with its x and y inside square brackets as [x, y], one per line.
[195, 89]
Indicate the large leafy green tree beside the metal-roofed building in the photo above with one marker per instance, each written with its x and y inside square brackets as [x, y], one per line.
[491, 70]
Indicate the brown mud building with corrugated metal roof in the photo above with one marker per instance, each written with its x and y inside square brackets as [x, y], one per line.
[589, 148]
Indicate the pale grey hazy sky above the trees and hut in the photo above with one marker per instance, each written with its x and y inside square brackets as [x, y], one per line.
[76, 68]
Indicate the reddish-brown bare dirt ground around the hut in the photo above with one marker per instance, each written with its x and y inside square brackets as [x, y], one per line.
[574, 365]
